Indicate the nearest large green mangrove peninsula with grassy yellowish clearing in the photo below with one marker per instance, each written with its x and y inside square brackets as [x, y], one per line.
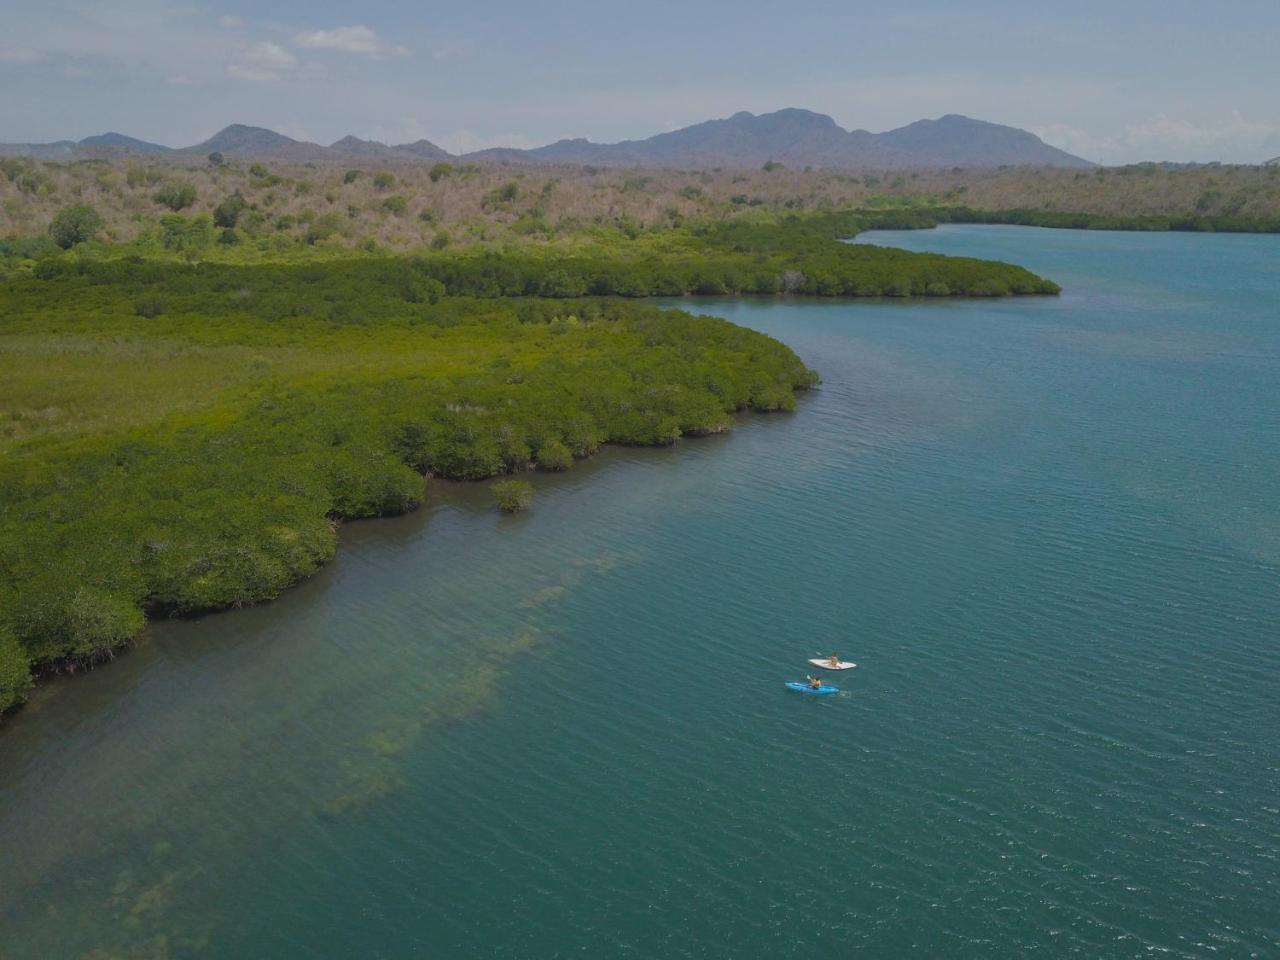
[194, 456]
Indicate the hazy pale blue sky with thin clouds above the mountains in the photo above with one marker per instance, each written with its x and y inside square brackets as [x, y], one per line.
[1117, 83]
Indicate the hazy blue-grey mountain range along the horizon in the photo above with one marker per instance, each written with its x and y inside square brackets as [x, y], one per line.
[793, 138]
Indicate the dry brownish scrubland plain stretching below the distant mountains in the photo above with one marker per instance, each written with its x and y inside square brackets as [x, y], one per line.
[410, 207]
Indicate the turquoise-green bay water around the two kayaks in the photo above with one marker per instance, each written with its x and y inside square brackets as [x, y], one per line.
[1048, 531]
